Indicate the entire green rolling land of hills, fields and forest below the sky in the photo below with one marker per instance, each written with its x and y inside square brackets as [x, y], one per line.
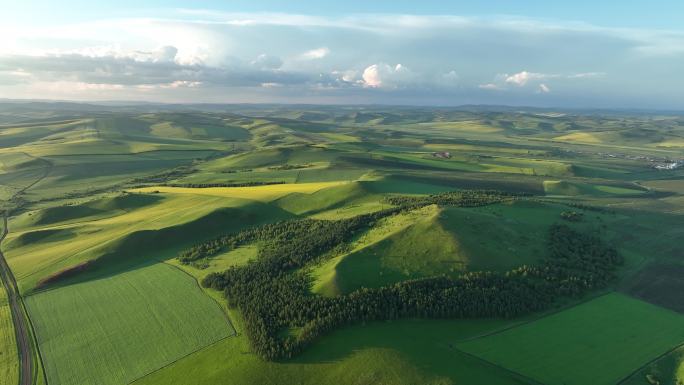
[347, 233]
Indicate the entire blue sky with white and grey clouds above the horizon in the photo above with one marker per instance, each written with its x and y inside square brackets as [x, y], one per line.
[575, 54]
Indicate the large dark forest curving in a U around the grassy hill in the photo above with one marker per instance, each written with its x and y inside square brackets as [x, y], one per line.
[273, 293]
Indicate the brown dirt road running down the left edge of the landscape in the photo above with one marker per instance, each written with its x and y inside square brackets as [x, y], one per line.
[21, 327]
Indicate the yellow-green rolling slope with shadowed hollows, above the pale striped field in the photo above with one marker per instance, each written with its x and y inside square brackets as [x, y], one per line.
[125, 230]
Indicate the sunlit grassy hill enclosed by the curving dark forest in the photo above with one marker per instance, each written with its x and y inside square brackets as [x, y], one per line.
[435, 241]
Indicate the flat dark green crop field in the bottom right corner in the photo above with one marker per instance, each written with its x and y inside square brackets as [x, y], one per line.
[598, 342]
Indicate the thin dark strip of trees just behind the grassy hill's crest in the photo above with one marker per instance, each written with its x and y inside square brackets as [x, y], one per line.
[462, 198]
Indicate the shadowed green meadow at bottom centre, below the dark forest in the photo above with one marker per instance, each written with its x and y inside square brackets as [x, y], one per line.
[396, 353]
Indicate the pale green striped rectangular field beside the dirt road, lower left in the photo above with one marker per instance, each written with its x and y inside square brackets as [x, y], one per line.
[114, 330]
